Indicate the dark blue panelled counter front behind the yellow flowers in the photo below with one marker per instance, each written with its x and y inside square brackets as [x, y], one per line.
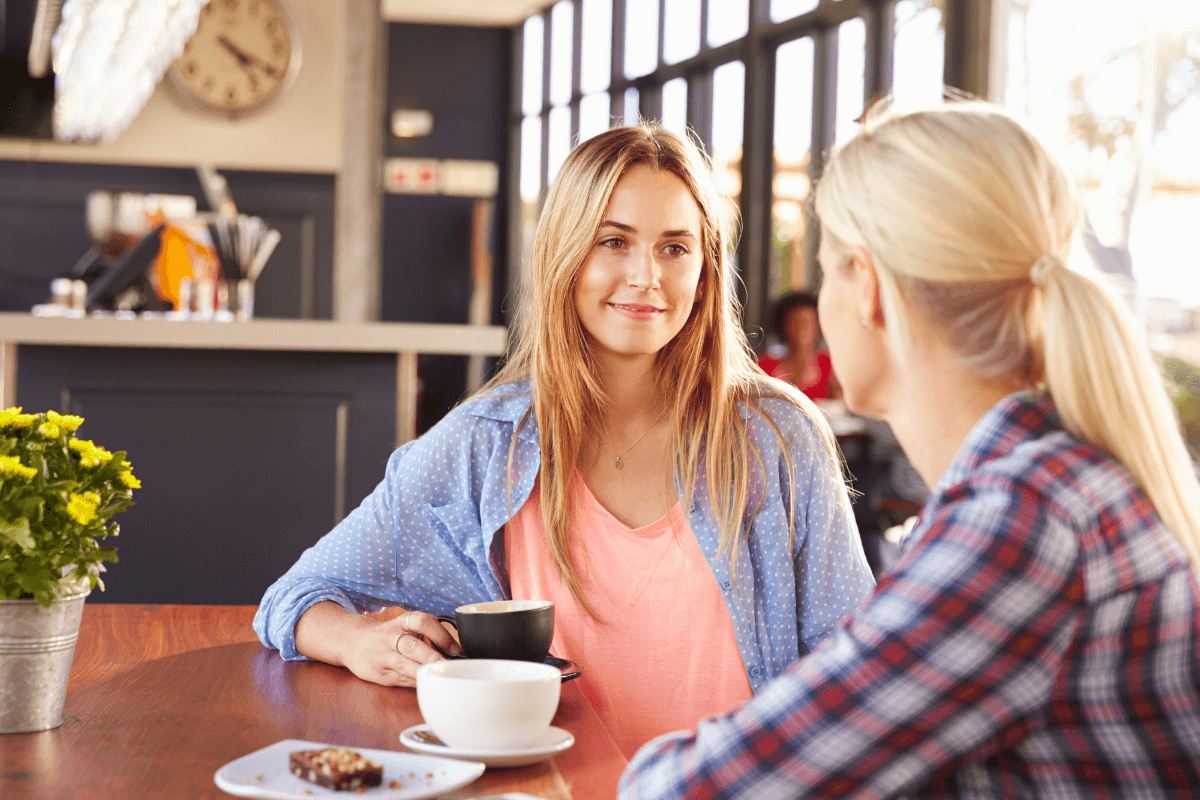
[237, 452]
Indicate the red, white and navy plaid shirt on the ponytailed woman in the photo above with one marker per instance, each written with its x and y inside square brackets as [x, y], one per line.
[1037, 640]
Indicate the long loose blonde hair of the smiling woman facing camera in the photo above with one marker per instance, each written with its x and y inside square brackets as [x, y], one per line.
[705, 372]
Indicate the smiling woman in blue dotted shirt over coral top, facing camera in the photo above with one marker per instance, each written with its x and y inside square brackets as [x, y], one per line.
[685, 513]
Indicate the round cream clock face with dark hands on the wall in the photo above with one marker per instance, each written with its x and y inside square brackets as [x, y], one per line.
[244, 53]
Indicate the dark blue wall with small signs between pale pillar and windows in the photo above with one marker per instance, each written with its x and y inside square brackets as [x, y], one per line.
[461, 76]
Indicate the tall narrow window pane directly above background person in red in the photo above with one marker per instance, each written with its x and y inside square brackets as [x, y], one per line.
[793, 151]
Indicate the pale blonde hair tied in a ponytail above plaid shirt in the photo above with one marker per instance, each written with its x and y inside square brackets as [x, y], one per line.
[970, 220]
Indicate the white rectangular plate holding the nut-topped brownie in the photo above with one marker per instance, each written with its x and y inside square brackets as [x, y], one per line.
[265, 774]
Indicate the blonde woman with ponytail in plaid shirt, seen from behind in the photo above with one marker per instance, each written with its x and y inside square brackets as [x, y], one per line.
[1040, 637]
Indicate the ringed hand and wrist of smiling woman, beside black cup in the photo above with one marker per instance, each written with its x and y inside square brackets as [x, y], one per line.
[382, 652]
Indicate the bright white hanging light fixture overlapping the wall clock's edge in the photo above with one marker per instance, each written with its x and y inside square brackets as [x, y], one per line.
[109, 57]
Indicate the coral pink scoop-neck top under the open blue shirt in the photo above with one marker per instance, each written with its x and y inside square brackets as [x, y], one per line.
[662, 653]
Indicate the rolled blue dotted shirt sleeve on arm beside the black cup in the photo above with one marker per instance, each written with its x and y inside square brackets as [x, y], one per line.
[416, 542]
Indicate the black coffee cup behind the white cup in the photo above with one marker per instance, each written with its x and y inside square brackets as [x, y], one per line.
[515, 630]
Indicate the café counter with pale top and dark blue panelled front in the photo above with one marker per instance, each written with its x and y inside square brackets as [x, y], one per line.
[251, 438]
